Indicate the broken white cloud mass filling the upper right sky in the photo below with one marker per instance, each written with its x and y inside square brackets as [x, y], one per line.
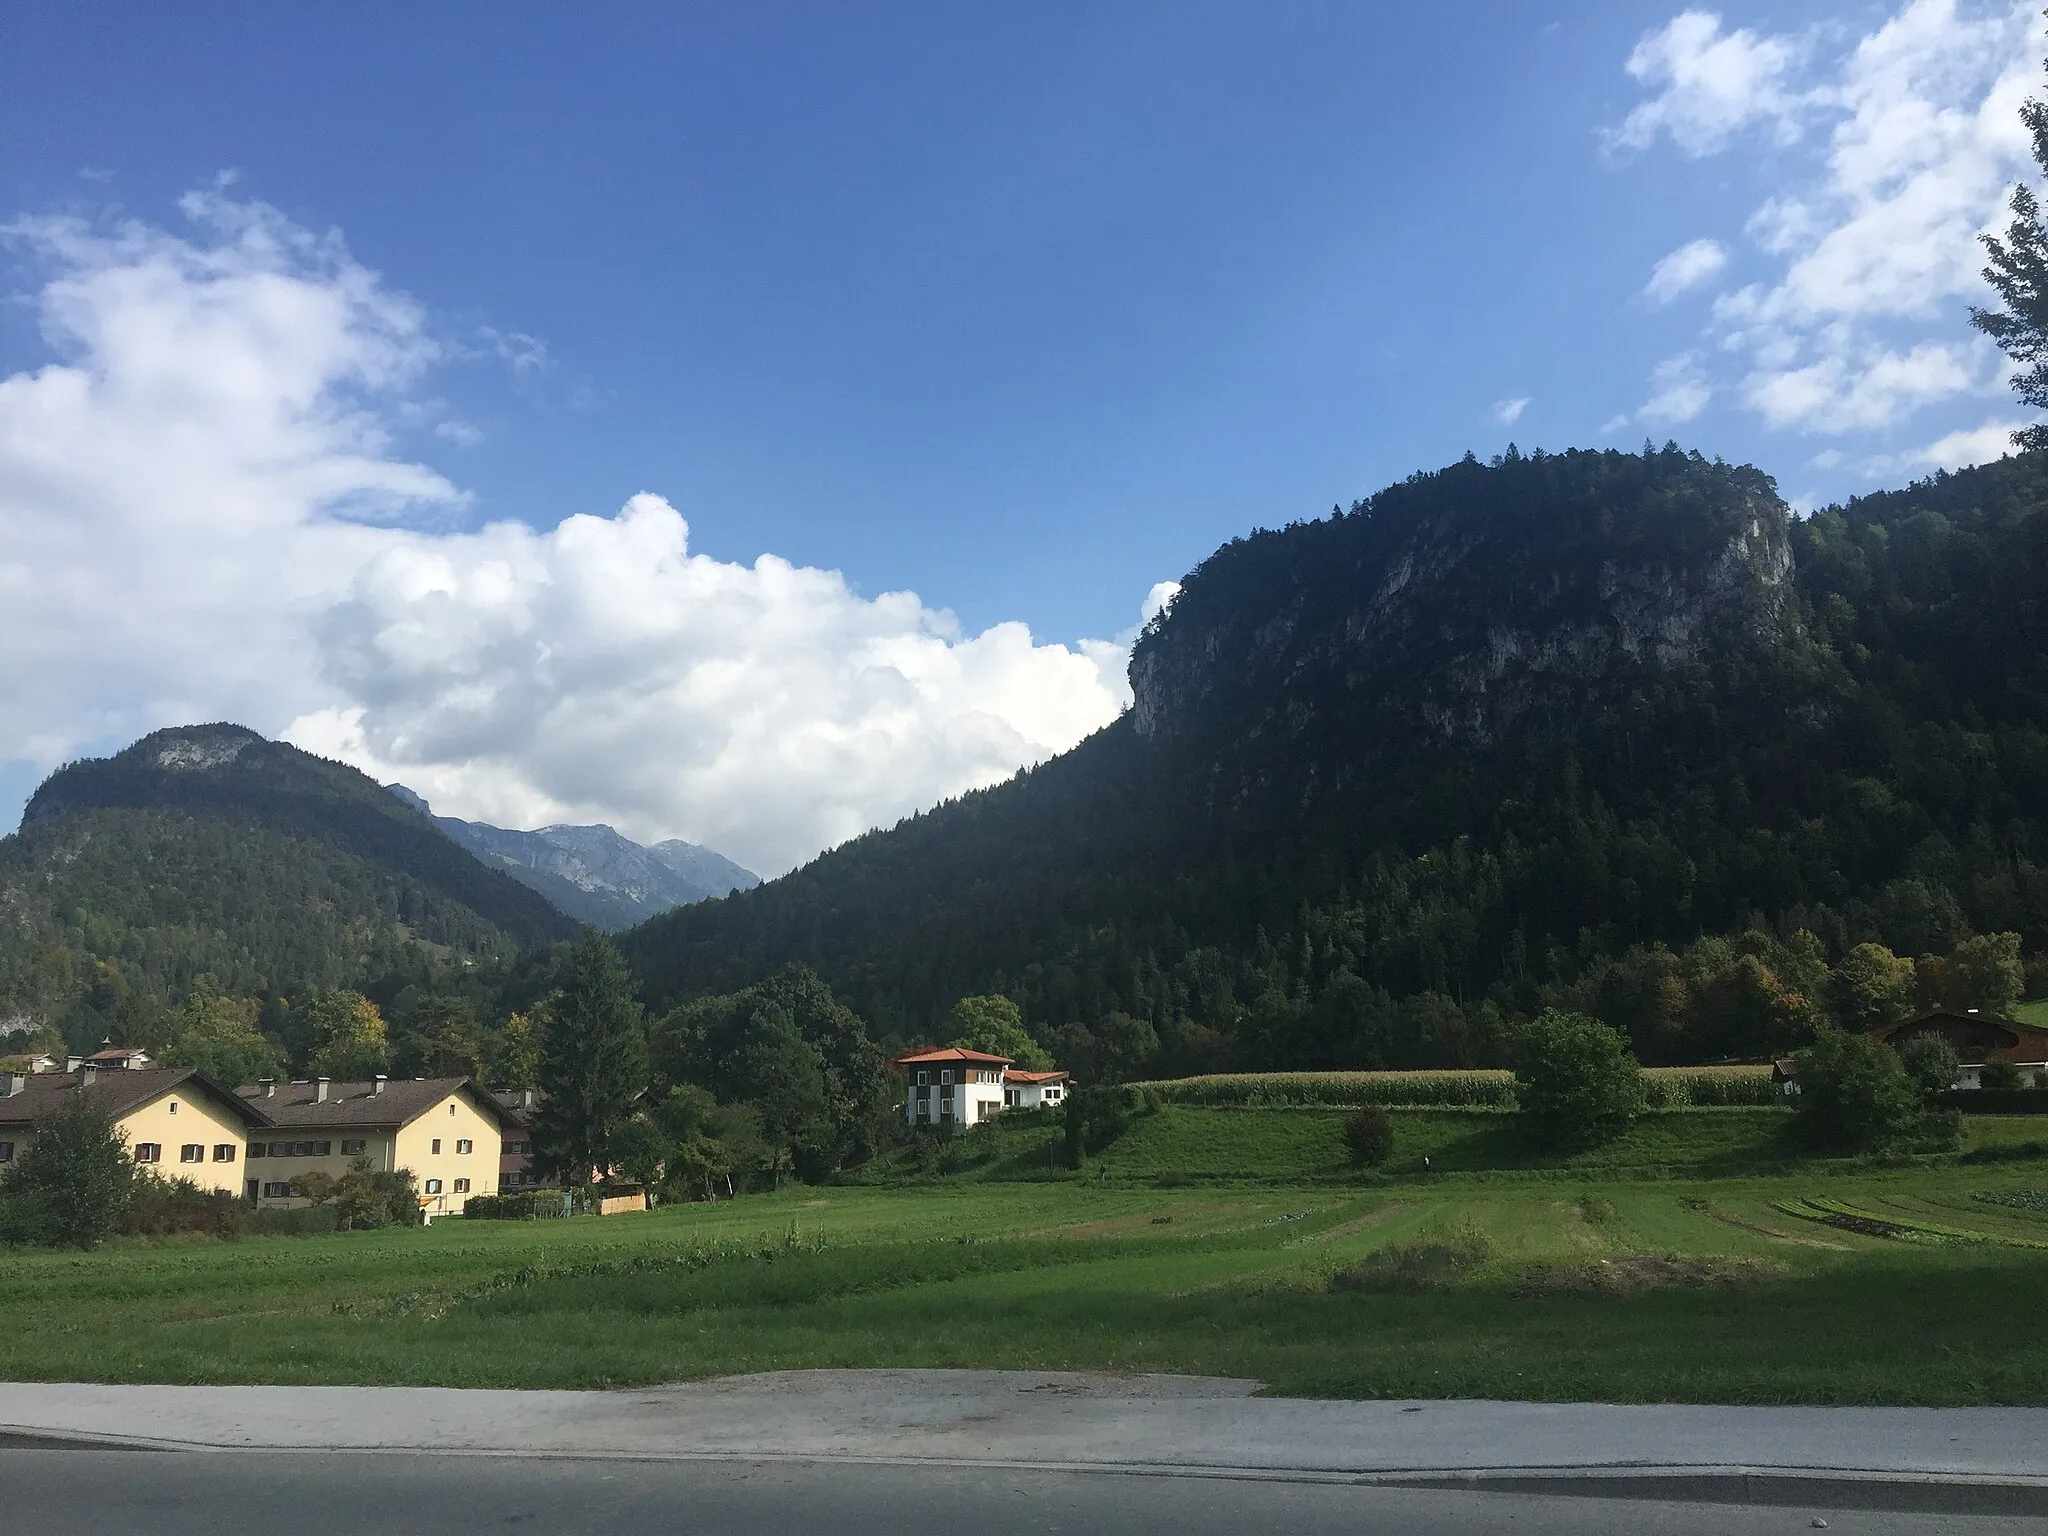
[1910, 138]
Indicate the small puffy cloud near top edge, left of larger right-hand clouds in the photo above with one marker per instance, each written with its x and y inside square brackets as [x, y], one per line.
[1709, 85]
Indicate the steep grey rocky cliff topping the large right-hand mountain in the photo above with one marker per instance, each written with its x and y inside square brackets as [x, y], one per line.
[1465, 603]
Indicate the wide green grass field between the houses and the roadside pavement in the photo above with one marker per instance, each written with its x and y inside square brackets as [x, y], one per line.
[1809, 1285]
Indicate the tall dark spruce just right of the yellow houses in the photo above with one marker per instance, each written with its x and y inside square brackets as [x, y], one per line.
[593, 1064]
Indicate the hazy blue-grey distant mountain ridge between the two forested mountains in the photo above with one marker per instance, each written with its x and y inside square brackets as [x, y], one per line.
[595, 876]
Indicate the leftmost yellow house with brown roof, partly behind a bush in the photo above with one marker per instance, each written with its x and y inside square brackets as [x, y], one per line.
[173, 1121]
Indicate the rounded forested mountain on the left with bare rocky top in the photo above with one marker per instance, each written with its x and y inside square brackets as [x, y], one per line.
[212, 853]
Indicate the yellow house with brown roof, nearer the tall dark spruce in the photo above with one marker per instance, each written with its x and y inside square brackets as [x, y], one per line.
[445, 1132]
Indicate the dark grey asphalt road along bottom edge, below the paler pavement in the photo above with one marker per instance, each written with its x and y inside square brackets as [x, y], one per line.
[351, 1494]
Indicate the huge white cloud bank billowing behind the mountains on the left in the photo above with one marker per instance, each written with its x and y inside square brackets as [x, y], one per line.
[204, 519]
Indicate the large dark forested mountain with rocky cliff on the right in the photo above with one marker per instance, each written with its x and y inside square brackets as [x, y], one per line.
[1590, 728]
